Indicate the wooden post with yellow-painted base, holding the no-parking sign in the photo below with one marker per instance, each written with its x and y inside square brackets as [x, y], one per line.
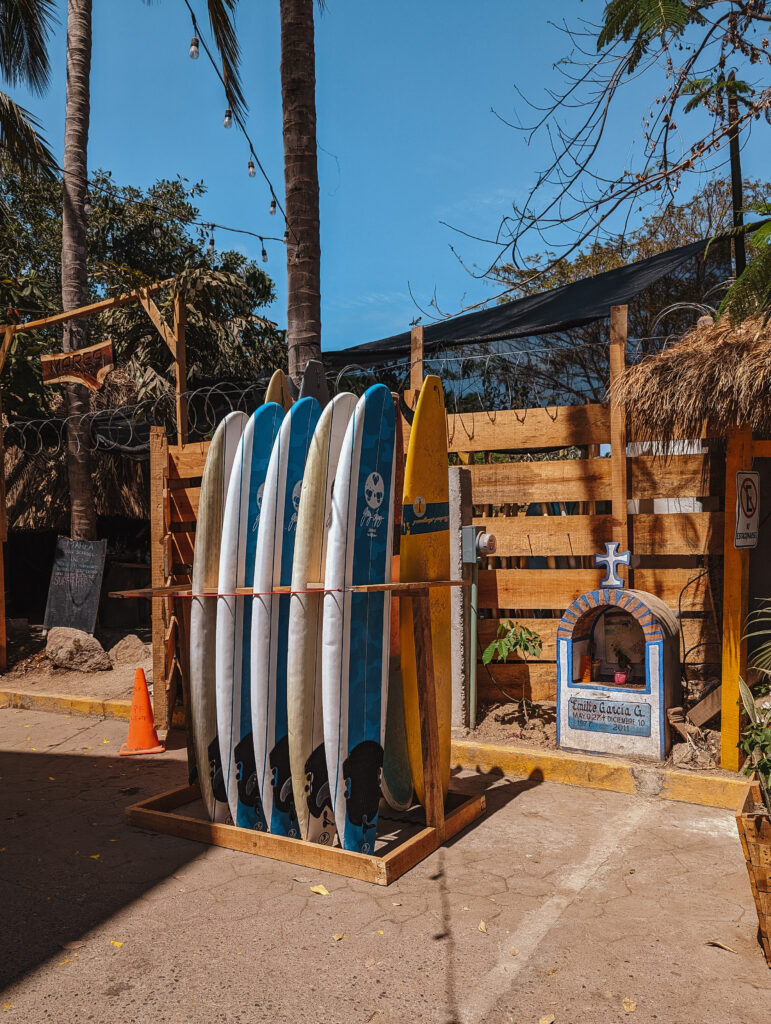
[736, 598]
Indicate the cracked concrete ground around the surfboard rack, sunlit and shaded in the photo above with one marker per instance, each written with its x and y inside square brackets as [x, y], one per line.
[588, 900]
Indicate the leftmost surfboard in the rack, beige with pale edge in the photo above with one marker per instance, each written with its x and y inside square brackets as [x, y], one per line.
[204, 613]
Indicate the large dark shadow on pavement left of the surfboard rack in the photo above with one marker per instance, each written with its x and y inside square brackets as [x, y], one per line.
[68, 861]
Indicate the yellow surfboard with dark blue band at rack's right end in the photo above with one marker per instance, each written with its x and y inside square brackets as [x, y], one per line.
[424, 554]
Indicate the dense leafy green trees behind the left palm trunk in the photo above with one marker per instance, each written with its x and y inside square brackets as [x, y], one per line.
[135, 237]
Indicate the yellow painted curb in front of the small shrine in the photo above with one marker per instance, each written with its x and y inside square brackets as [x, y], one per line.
[718, 790]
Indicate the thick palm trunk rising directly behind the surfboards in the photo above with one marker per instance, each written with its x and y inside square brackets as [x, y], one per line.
[302, 181]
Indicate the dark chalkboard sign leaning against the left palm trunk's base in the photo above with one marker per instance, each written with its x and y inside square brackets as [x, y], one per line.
[76, 584]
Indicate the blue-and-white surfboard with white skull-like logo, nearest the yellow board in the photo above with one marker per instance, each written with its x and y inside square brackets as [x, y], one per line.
[357, 626]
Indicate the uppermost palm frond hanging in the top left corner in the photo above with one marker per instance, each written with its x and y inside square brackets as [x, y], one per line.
[25, 26]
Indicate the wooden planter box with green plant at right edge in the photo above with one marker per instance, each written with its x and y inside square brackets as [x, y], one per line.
[754, 818]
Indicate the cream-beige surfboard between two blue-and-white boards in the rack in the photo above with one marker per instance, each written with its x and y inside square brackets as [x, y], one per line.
[305, 714]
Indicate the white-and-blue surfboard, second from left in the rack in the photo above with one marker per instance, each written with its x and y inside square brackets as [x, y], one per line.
[240, 528]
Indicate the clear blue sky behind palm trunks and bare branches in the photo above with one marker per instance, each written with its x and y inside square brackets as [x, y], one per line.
[408, 139]
